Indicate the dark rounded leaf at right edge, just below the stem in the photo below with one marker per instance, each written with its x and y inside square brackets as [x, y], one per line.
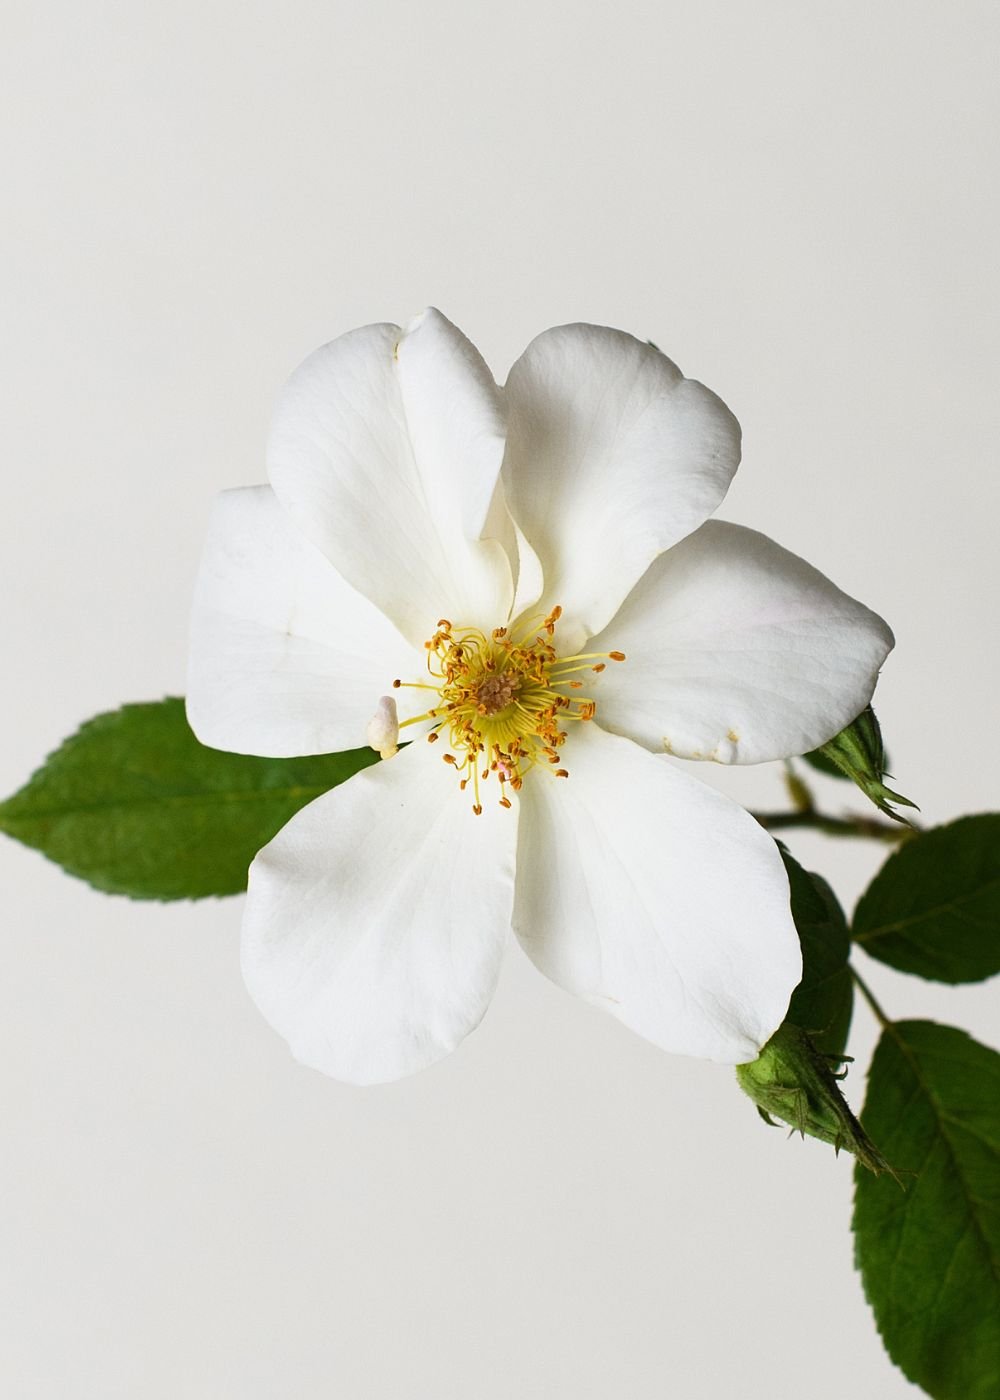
[935, 906]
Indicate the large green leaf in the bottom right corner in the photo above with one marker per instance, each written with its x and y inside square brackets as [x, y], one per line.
[931, 1255]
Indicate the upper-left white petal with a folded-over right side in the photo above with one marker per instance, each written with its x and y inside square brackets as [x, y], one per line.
[387, 450]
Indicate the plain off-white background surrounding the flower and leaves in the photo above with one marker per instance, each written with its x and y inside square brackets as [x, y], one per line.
[798, 202]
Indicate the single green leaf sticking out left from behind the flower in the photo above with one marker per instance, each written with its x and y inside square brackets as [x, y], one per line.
[134, 804]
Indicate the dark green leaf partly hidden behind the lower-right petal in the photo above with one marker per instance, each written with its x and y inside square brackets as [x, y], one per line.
[823, 1002]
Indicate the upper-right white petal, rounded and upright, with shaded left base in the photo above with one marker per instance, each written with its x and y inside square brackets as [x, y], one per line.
[613, 457]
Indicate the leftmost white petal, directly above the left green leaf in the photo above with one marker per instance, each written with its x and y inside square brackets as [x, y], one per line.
[286, 659]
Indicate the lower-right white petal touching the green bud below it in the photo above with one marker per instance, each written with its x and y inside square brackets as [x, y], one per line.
[651, 895]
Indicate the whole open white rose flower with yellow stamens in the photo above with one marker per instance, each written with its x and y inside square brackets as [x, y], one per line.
[530, 575]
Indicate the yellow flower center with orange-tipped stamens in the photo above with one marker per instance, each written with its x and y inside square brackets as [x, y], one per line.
[505, 702]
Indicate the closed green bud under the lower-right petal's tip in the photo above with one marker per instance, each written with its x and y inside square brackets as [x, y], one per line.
[795, 1083]
